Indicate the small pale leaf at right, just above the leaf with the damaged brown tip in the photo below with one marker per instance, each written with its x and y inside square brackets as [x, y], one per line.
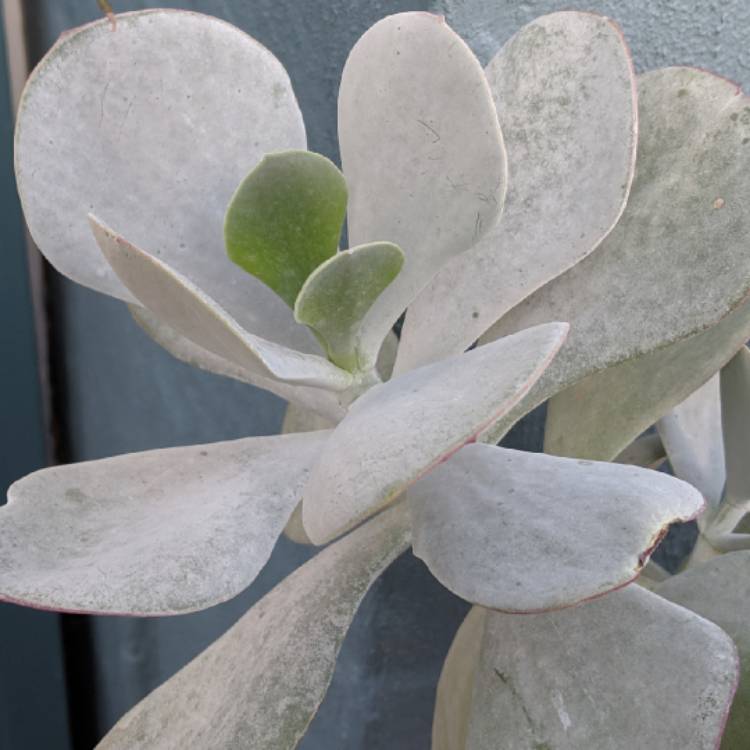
[692, 436]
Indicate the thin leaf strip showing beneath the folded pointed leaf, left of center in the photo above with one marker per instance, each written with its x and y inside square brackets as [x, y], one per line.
[318, 400]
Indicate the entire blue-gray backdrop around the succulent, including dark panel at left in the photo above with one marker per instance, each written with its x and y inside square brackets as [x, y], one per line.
[115, 391]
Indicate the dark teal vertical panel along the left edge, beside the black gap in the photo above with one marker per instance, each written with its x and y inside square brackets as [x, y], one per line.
[32, 686]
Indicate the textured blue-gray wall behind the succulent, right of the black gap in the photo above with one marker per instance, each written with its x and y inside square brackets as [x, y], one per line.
[121, 393]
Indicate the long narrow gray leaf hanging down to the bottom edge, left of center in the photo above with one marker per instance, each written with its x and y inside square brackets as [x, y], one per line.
[261, 683]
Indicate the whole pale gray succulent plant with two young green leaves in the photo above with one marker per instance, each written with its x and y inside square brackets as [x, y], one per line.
[161, 160]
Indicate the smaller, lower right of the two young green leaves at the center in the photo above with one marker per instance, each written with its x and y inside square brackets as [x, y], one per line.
[338, 294]
